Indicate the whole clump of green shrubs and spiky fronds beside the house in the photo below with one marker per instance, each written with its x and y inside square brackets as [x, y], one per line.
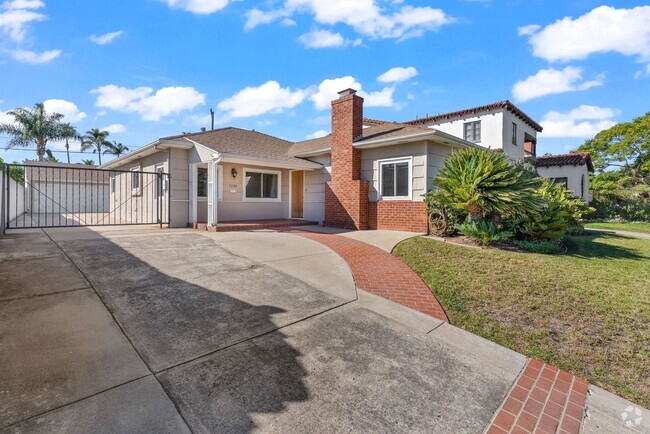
[490, 200]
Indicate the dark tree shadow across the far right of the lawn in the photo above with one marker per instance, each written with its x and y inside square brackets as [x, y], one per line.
[588, 246]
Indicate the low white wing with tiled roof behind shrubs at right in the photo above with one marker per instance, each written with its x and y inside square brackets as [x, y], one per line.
[571, 170]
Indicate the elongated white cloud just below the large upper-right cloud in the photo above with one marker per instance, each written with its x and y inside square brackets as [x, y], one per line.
[553, 81]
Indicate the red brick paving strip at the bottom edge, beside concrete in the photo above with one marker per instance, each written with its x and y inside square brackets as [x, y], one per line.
[544, 400]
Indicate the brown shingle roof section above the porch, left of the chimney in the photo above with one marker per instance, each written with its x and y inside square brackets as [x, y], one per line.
[232, 140]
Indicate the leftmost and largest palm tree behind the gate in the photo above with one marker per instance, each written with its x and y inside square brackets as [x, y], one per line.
[33, 126]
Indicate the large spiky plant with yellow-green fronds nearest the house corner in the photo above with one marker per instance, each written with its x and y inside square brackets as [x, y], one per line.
[485, 183]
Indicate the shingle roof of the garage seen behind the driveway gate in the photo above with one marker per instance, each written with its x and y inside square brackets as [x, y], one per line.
[63, 172]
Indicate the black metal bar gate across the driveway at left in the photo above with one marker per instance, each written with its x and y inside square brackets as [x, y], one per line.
[45, 196]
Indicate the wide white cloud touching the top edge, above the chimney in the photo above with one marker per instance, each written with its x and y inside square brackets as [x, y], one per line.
[366, 17]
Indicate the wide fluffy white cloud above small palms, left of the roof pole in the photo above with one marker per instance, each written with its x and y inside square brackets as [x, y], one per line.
[149, 105]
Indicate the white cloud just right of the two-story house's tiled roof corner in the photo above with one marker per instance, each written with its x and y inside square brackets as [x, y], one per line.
[584, 121]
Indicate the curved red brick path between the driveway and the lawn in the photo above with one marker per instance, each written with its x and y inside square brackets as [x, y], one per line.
[382, 274]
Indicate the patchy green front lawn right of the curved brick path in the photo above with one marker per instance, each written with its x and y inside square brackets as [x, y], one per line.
[587, 311]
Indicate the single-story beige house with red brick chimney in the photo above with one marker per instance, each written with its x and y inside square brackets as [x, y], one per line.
[356, 177]
